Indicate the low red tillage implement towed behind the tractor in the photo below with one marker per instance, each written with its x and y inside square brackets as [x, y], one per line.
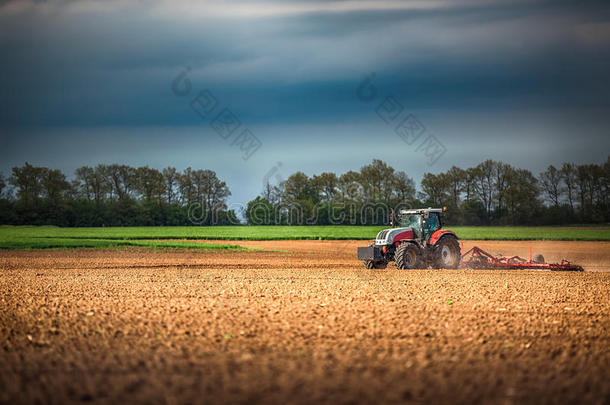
[477, 258]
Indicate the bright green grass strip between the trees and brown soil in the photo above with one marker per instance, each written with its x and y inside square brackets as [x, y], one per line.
[44, 237]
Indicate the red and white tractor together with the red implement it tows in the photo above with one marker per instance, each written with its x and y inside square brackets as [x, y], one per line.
[419, 242]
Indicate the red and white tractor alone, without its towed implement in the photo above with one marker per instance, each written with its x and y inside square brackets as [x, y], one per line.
[417, 242]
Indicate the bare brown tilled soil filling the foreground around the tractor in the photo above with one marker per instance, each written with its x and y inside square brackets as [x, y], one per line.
[306, 323]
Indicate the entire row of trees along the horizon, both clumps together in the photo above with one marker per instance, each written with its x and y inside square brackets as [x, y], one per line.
[491, 193]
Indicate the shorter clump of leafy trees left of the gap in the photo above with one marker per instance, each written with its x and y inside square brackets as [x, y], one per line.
[114, 195]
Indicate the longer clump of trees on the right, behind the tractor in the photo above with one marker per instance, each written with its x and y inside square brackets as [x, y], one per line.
[491, 193]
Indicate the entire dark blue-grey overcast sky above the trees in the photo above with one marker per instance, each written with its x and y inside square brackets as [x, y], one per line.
[89, 82]
